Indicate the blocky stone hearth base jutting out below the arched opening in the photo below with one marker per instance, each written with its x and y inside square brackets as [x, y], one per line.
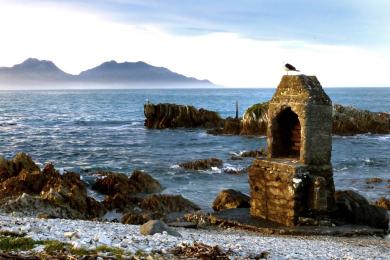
[278, 190]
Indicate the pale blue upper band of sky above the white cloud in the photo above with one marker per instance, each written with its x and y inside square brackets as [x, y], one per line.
[331, 22]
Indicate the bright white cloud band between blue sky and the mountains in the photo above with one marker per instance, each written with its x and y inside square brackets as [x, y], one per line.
[77, 40]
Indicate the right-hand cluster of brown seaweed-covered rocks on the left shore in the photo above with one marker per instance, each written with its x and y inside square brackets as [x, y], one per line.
[129, 195]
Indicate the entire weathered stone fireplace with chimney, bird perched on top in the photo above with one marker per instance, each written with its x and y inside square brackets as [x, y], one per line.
[296, 178]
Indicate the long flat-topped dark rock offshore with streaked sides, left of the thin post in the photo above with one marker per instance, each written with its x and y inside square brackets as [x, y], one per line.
[162, 116]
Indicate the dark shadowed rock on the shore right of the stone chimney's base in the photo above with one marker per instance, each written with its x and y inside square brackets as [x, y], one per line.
[356, 210]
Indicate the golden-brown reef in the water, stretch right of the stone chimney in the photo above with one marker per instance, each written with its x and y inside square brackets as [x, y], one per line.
[349, 120]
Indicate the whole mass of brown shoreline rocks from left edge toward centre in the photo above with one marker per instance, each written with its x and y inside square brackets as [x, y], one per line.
[27, 190]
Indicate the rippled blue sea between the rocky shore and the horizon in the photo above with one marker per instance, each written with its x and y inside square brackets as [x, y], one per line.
[86, 130]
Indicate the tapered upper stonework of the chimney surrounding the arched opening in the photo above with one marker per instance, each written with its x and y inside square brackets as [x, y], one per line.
[305, 97]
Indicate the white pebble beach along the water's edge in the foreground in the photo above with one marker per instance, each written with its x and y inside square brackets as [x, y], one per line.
[239, 243]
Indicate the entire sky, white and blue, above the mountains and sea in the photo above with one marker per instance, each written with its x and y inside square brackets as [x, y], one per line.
[245, 43]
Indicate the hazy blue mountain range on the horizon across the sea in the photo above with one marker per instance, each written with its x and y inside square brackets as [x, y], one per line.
[138, 73]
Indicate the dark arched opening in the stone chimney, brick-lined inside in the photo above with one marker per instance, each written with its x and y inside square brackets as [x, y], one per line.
[286, 135]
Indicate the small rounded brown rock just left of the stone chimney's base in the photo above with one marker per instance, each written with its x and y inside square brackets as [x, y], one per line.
[229, 199]
